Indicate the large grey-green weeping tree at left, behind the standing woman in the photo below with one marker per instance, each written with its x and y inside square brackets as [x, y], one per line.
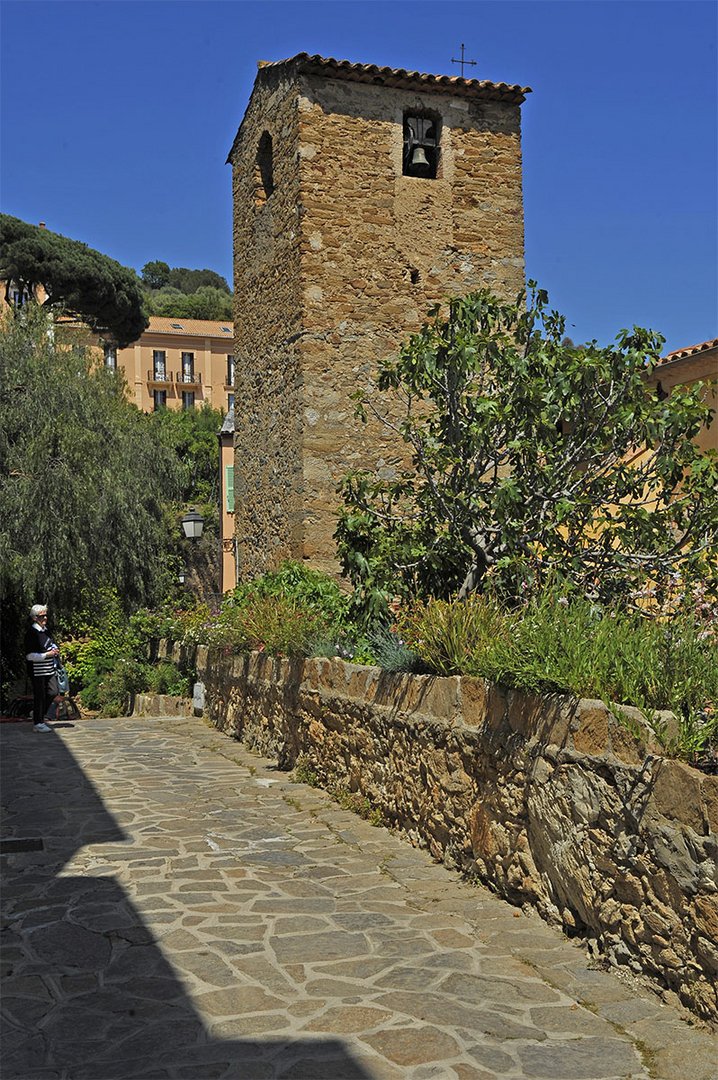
[85, 480]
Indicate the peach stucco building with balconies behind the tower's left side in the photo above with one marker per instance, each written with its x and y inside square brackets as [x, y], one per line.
[180, 363]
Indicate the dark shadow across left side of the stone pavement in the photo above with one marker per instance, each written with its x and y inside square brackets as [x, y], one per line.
[88, 993]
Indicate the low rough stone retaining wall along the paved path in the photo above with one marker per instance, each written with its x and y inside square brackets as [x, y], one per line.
[550, 802]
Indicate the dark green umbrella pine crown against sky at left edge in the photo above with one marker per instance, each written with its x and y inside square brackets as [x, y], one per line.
[77, 279]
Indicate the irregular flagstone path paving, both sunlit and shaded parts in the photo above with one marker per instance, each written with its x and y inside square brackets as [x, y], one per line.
[194, 914]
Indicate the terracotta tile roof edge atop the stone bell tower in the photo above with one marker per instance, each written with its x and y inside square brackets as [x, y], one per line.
[400, 77]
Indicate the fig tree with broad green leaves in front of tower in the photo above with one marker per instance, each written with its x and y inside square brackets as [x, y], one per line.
[530, 458]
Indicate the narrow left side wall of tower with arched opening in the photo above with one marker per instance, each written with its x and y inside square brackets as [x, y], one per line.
[268, 403]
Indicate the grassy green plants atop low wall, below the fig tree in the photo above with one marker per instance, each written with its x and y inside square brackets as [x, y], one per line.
[567, 644]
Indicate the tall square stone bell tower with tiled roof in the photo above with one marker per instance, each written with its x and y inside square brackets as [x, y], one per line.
[362, 196]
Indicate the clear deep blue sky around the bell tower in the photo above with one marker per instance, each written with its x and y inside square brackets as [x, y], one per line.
[118, 117]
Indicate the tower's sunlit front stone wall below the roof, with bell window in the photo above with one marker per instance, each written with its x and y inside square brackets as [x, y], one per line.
[380, 249]
